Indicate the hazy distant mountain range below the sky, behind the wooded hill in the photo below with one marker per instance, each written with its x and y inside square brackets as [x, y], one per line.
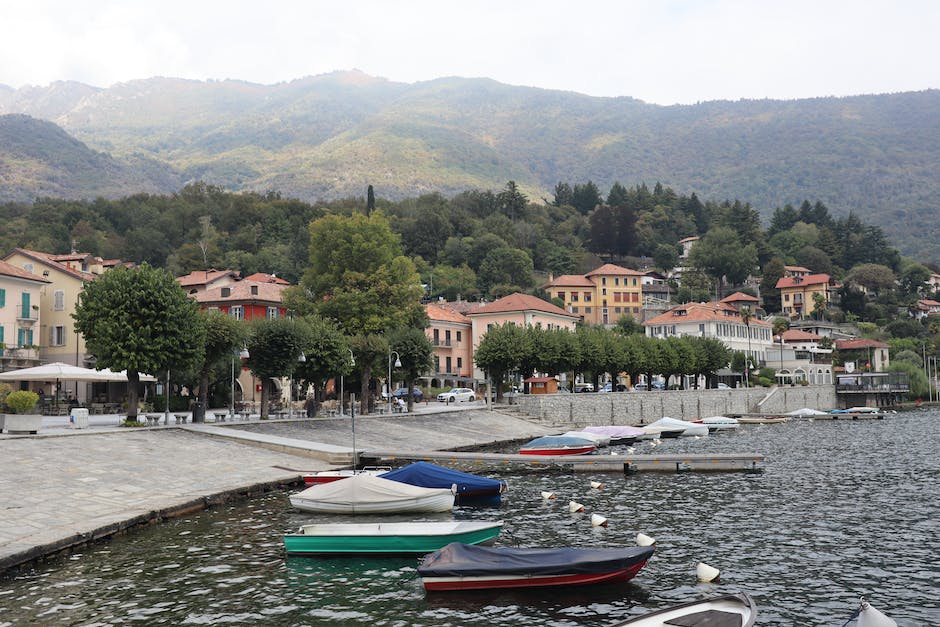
[333, 135]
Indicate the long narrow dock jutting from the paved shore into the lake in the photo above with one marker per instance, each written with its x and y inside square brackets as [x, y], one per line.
[740, 462]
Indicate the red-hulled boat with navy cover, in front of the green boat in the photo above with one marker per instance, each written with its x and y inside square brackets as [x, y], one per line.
[463, 567]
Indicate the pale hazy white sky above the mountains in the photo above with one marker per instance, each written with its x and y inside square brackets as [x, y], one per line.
[660, 51]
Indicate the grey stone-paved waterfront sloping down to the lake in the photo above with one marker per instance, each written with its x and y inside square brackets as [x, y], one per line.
[65, 487]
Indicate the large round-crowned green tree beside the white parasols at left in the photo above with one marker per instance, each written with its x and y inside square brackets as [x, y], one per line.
[139, 320]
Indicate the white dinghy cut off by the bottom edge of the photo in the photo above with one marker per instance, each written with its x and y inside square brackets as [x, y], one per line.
[730, 610]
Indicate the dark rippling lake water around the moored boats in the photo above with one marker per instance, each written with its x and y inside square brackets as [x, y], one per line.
[843, 510]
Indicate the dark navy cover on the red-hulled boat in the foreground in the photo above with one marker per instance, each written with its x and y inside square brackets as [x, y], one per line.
[465, 560]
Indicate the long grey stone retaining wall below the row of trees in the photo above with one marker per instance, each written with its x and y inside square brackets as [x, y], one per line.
[634, 408]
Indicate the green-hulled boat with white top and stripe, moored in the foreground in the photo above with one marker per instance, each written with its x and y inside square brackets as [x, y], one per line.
[389, 538]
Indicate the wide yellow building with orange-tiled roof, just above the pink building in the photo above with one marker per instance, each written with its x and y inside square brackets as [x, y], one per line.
[602, 296]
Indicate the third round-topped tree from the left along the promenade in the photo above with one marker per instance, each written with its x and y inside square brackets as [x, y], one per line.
[275, 346]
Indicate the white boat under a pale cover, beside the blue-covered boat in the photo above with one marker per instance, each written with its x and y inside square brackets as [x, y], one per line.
[365, 494]
